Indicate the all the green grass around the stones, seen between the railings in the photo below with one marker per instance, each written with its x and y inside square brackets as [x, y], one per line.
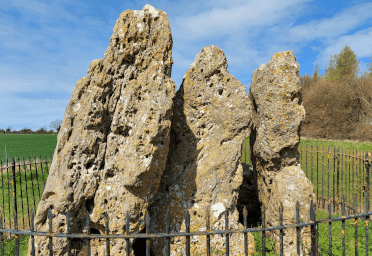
[29, 145]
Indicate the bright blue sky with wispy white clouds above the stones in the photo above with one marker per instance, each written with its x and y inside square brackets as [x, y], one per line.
[46, 46]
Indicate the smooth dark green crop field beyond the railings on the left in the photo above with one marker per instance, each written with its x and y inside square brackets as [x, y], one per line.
[25, 145]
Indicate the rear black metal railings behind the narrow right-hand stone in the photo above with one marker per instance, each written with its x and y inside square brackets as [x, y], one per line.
[335, 173]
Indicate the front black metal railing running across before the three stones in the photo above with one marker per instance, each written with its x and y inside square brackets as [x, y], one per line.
[168, 235]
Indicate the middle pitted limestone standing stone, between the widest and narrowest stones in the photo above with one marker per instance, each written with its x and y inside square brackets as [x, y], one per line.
[211, 118]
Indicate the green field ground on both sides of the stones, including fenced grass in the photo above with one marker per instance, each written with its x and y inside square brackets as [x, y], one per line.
[31, 179]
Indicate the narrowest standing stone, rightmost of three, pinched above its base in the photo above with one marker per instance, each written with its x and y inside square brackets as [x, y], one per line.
[277, 114]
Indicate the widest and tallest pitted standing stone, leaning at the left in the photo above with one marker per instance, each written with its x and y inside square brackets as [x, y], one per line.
[113, 143]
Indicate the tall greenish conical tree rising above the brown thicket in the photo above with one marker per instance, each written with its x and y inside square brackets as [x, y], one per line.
[342, 65]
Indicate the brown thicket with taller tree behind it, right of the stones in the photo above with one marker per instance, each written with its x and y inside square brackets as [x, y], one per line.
[338, 104]
